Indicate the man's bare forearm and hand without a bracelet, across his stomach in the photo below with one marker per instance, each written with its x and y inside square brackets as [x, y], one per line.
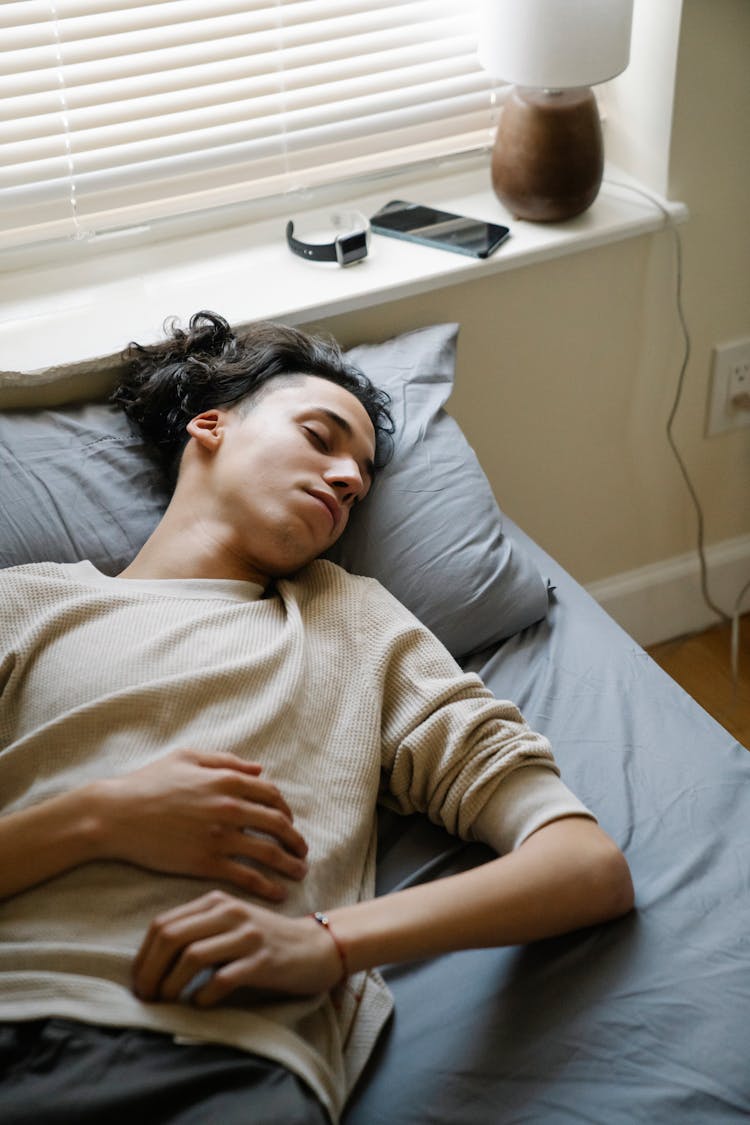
[187, 814]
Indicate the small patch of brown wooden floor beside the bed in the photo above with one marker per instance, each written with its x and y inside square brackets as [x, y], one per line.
[702, 664]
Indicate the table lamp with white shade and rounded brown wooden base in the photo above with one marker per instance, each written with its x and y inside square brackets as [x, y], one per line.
[549, 156]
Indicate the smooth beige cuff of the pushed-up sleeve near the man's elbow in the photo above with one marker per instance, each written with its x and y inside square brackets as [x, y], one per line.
[531, 797]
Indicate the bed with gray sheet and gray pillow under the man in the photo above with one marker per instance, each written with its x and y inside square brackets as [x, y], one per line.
[645, 1020]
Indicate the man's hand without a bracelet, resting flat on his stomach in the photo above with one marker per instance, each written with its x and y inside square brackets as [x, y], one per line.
[202, 815]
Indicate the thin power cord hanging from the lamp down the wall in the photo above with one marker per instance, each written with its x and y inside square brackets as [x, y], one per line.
[735, 617]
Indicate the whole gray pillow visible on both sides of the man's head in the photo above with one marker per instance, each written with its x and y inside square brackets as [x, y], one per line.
[78, 483]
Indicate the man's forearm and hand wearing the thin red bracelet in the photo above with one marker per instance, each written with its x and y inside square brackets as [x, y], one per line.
[565, 876]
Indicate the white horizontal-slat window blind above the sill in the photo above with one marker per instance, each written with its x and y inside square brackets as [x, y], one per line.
[118, 114]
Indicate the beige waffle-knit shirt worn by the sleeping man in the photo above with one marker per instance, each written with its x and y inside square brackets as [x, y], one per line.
[331, 685]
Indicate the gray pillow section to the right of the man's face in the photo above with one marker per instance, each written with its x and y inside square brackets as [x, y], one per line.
[431, 530]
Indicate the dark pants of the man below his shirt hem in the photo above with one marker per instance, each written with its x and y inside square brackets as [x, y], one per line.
[61, 1073]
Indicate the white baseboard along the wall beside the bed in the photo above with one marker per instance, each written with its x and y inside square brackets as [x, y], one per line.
[663, 601]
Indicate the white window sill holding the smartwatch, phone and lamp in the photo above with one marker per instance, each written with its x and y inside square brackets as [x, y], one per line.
[65, 313]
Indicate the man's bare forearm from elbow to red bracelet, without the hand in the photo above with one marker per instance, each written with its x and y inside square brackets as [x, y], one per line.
[566, 876]
